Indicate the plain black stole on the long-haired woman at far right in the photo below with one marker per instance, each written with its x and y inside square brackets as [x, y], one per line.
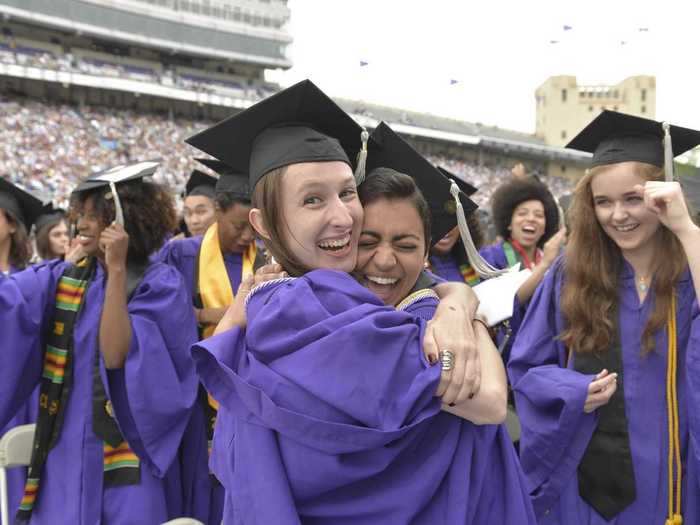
[605, 474]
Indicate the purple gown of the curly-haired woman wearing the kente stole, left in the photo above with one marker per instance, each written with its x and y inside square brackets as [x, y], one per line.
[152, 394]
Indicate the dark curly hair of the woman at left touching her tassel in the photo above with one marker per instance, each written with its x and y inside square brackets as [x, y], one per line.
[149, 214]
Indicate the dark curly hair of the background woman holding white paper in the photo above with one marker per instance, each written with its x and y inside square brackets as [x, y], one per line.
[514, 192]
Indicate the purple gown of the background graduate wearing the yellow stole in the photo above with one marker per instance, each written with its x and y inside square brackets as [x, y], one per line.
[208, 497]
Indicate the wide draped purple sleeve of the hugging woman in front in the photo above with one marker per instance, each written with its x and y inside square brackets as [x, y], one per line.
[305, 334]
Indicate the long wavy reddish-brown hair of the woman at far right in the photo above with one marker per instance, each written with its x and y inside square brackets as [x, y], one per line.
[590, 289]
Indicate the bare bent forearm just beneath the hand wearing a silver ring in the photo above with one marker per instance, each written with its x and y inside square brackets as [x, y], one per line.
[488, 406]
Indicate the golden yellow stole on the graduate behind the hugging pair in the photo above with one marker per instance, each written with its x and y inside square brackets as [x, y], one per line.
[213, 290]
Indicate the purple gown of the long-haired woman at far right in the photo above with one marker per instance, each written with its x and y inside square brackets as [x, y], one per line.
[556, 431]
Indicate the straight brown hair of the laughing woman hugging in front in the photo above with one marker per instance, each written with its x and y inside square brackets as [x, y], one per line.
[267, 197]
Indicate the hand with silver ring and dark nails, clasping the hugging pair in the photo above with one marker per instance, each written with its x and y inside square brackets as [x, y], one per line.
[451, 329]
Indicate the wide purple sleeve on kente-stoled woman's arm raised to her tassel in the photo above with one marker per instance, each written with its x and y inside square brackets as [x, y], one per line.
[155, 391]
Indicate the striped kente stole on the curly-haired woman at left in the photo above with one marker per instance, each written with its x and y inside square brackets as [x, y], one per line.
[121, 465]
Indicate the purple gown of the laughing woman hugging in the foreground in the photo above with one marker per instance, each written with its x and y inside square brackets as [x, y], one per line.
[332, 406]
